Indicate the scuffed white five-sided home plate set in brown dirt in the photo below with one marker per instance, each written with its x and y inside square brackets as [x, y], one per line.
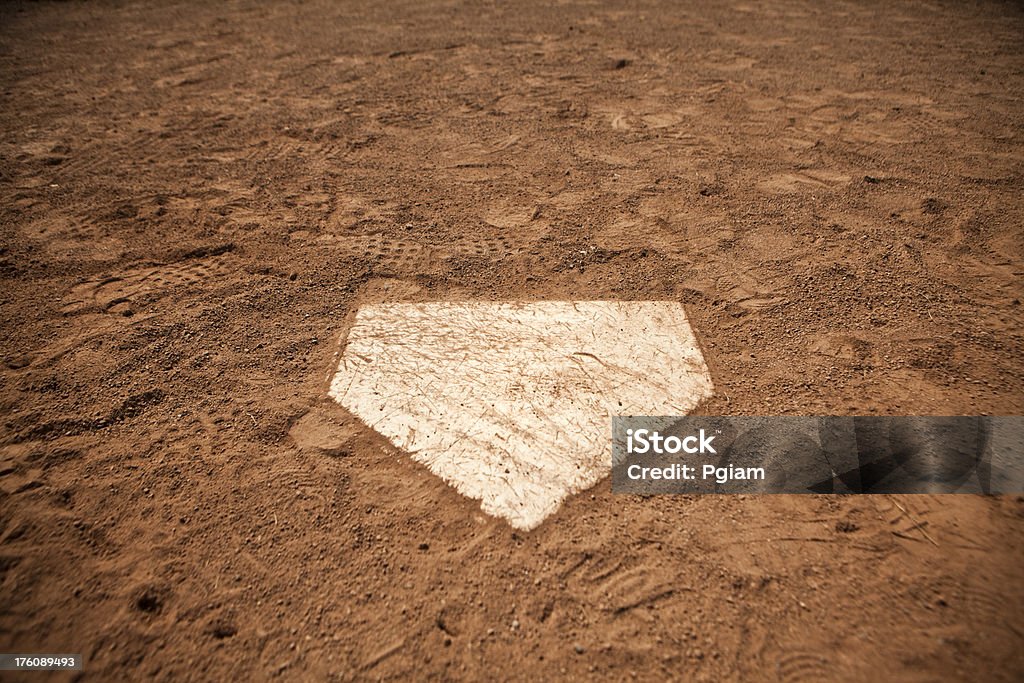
[513, 403]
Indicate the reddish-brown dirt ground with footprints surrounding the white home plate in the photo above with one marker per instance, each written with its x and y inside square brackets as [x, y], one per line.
[195, 198]
